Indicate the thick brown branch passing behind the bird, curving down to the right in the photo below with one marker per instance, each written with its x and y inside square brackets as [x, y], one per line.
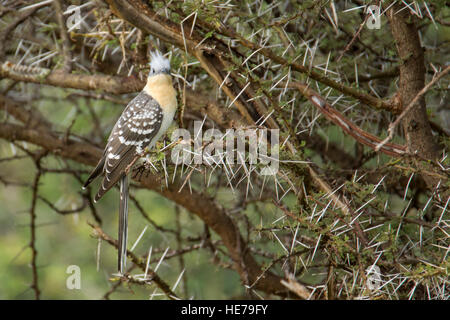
[213, 215]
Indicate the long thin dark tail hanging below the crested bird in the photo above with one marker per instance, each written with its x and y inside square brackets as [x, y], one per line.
[123, 223]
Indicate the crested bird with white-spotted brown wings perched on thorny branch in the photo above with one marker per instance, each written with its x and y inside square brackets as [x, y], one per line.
[145, 119]
